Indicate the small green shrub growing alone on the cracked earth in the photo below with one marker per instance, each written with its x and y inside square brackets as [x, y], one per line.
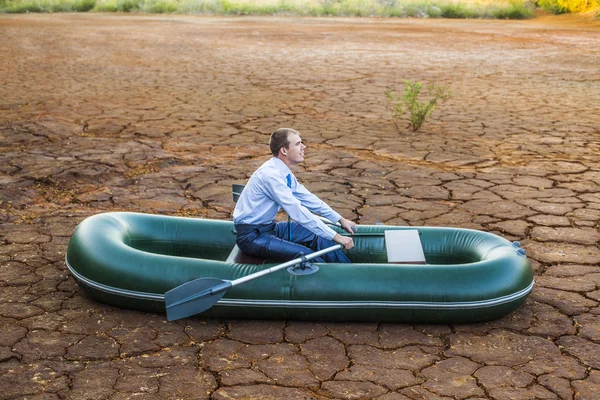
[418, 111]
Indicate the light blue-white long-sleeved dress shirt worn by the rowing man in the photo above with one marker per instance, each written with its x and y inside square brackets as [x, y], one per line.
[267, 192]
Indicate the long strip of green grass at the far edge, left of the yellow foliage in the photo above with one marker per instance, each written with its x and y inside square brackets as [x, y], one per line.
[512, 9]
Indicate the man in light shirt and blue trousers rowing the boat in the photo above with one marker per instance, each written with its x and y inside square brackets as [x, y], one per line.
[273, 186]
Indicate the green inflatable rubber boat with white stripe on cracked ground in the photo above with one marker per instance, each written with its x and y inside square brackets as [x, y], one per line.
[131, 260]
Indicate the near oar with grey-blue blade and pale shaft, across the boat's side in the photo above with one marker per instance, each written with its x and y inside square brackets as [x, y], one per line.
[201, 294]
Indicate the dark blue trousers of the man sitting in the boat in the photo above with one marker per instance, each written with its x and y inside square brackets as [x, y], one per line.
[270, 242]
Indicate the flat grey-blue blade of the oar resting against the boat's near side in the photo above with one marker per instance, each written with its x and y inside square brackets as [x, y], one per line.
[175, 299]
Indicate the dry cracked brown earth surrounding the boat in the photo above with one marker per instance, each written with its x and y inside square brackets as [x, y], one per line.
[161, 114]
